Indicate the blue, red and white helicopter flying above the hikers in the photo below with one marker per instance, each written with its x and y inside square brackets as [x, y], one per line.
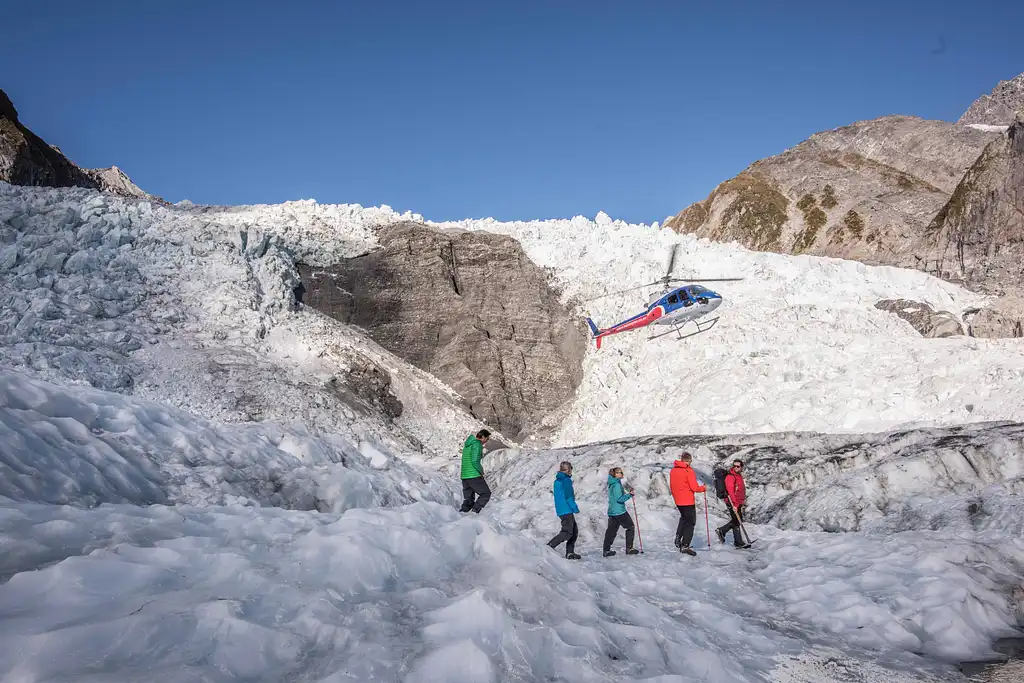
[675, 307]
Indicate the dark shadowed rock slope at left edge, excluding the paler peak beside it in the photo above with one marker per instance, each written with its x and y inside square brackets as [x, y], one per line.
[28, 160]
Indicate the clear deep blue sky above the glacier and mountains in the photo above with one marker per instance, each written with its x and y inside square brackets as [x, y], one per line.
[513, 110]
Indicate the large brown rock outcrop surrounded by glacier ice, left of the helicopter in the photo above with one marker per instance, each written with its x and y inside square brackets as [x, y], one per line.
[468, 308]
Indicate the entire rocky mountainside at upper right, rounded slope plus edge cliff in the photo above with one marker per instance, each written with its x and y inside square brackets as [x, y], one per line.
[897, 191]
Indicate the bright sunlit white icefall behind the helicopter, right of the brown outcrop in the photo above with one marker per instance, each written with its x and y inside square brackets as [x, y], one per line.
[799, 347]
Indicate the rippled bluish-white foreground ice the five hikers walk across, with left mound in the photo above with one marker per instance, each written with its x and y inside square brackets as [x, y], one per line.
[220, 588]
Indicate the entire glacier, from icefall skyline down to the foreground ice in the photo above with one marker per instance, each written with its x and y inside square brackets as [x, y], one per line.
[187, 492]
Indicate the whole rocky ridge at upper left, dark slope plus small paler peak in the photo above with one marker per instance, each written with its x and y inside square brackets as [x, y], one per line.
[27, 160]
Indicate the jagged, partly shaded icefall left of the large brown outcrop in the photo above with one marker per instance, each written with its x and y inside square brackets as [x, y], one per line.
[194, 308]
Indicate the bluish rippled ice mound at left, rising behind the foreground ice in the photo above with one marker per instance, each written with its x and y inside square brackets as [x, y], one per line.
[87, 447]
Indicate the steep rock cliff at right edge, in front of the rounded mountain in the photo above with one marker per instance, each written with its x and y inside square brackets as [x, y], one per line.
[977, 238]
